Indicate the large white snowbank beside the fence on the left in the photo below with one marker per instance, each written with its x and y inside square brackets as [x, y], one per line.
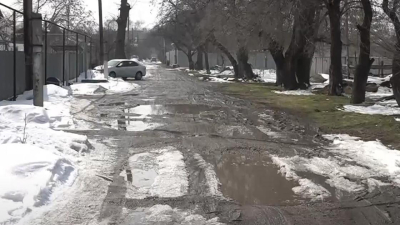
[35, 159]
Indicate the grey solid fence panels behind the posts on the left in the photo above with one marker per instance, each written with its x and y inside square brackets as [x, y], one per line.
[54, 69]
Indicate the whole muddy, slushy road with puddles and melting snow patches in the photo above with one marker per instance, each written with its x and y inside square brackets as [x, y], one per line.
[177, 151]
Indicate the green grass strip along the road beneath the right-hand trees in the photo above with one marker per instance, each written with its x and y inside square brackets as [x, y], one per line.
[322, 111]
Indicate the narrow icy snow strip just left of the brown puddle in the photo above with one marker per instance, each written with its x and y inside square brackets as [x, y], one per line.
[211, 177]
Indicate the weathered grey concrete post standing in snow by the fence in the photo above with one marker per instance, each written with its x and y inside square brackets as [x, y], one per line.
[37, 45]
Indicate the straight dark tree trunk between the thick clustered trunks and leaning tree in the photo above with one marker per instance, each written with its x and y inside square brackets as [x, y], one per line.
[335, 70]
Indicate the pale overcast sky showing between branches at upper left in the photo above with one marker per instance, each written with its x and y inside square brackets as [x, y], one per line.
[143, 10]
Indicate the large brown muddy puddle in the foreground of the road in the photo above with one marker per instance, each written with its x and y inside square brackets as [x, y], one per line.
[253, 180]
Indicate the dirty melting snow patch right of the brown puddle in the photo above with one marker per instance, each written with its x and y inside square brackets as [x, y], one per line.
[354, 166]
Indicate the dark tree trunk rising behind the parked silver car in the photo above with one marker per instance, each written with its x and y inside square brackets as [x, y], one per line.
[122, 21]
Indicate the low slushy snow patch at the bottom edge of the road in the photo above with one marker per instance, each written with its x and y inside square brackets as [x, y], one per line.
[165, 214]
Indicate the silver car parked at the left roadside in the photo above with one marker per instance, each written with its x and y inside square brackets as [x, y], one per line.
[126, 68]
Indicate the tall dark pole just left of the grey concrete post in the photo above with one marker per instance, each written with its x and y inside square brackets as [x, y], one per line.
[28, 44]
